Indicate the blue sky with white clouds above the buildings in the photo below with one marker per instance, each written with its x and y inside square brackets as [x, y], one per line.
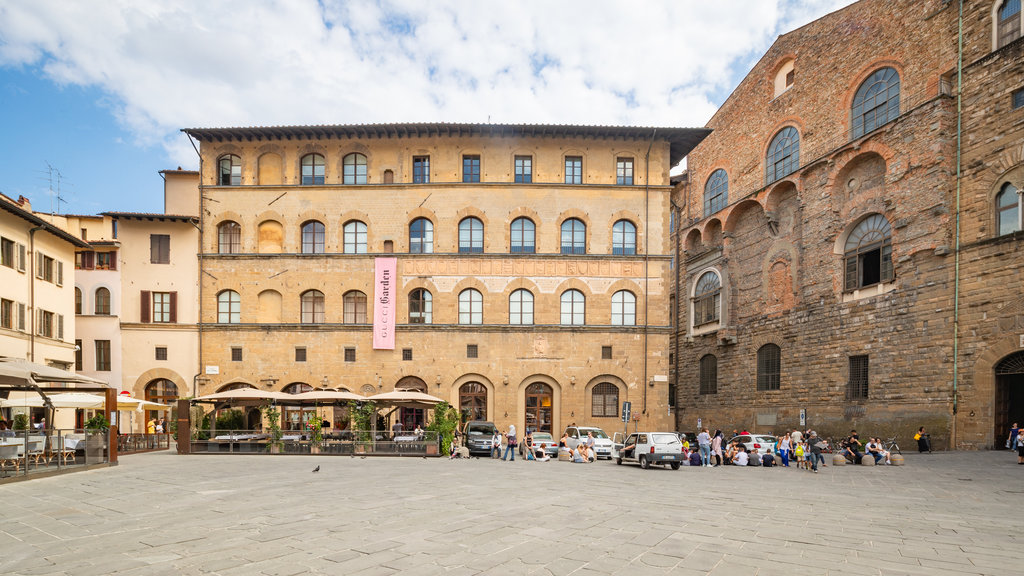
[94, 95]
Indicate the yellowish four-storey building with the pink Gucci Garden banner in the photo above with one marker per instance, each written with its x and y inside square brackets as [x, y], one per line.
[533, 263]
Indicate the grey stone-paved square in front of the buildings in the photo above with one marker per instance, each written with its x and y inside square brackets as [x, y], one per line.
[164, 514]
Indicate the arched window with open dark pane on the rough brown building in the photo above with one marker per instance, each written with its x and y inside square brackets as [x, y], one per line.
[869, 254]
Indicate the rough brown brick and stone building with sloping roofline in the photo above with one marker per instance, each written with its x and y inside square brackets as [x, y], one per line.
[819, 238]
